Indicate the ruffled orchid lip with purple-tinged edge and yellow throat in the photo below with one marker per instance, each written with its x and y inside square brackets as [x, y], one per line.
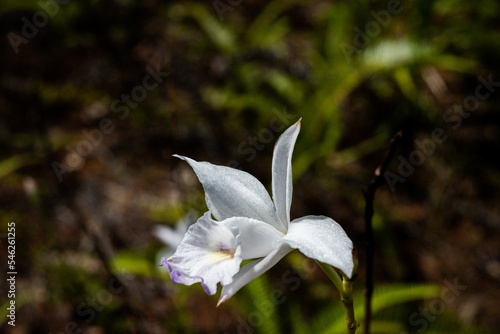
[209, 253]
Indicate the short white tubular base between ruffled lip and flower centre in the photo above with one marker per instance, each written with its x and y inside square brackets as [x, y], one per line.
[257, 238]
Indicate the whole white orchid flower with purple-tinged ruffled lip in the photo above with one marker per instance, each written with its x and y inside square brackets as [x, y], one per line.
[250, 225]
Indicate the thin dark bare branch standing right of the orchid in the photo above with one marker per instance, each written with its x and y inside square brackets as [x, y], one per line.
[369, 193]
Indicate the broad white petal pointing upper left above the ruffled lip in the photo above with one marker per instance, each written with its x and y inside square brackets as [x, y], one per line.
[230, 193]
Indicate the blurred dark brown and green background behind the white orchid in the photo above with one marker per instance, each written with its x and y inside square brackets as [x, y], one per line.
[96, 96]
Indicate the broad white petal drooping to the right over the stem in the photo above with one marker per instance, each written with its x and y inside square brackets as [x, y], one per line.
[321, 238]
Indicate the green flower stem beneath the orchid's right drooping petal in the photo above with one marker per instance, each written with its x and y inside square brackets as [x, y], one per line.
[345, 287]
